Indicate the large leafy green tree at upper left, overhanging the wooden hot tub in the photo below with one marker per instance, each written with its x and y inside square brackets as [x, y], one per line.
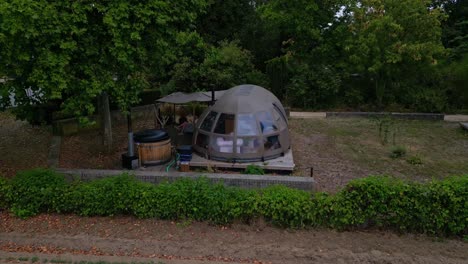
[74, 51]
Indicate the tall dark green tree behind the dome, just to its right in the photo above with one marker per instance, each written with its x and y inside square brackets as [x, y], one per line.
[303, 69]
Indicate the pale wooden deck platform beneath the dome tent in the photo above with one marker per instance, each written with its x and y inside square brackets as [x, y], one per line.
[283, 163]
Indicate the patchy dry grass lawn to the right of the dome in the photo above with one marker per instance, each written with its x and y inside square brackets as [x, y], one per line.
[433, 148]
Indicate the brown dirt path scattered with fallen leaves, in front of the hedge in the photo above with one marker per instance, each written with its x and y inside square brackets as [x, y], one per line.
[126, 237]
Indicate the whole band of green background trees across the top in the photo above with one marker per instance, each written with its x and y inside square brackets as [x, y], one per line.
[361, 54]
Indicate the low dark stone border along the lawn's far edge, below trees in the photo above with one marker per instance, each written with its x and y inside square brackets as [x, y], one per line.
[409, 116]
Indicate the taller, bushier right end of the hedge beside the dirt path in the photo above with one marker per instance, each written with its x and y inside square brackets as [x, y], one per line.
[435, 208]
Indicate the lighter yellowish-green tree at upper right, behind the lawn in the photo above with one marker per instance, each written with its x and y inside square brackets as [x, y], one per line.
[388, 35]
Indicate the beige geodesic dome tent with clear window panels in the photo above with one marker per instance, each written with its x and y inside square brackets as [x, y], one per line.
[248, 123]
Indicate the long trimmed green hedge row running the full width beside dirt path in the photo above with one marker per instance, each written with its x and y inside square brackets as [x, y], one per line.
[438, 207]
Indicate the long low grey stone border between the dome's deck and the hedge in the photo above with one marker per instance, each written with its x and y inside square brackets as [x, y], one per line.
[235, 180]
